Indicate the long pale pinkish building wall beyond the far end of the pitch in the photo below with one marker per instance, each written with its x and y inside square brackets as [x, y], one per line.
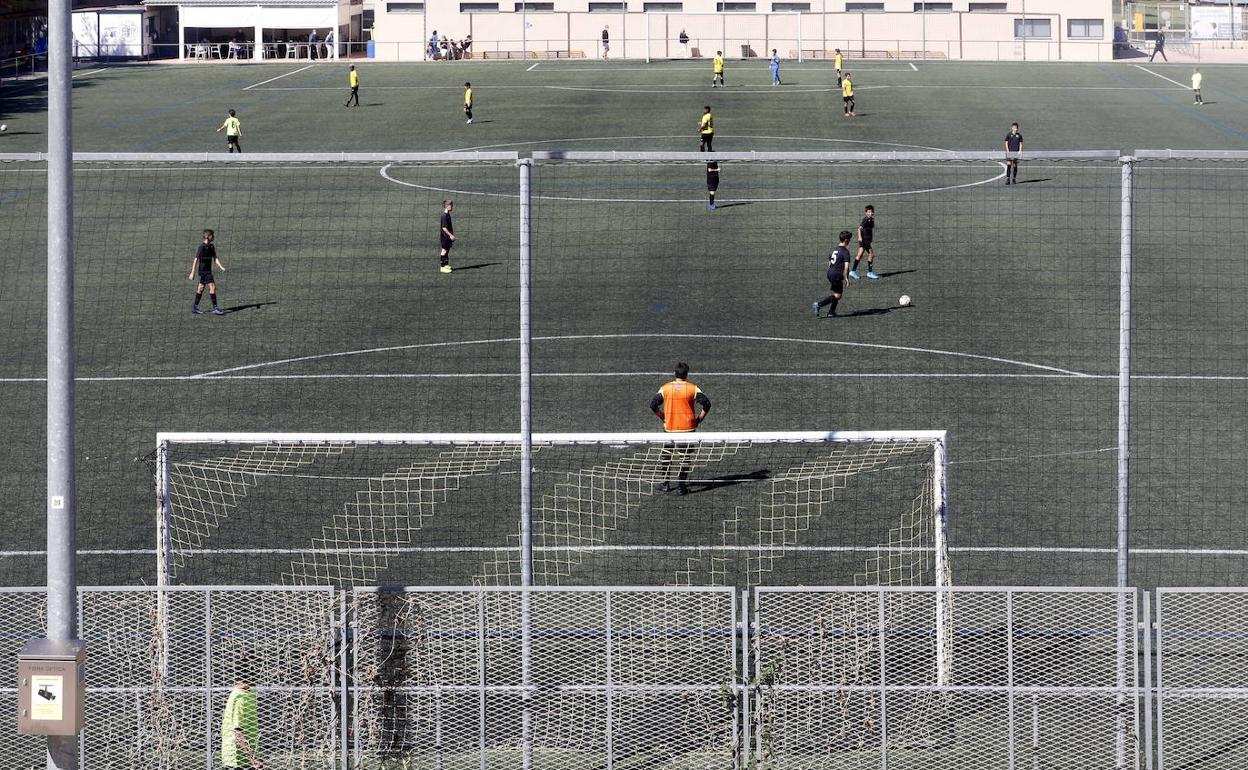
[960, 34]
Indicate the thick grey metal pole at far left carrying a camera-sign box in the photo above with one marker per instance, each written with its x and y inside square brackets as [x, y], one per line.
[63, 752]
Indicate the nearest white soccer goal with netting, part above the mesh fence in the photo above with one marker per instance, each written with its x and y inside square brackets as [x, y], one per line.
[742, 510]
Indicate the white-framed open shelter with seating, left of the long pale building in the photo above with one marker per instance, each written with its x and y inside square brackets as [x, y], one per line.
[278, 16]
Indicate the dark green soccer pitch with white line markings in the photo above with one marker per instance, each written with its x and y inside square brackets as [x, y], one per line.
[339, 320]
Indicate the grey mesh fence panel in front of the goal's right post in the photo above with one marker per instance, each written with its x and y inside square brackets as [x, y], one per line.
[877, 678]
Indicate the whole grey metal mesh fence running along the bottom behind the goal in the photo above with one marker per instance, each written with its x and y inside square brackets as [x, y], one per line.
[600, 678]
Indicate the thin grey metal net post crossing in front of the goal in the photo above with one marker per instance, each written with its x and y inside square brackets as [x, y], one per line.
[526, 464]
